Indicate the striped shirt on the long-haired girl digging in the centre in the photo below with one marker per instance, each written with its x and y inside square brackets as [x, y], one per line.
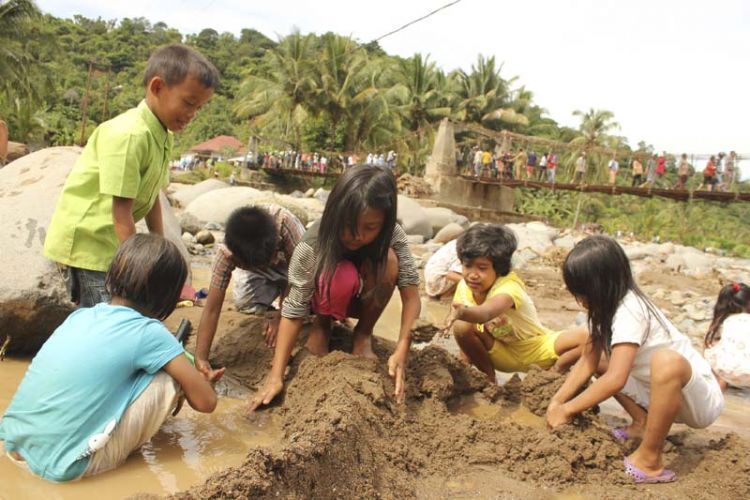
[304, 261]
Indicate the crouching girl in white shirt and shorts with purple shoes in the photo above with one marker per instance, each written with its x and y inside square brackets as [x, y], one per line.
[640, 358]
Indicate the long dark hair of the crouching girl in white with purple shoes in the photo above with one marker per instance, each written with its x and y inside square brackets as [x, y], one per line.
[598, 271]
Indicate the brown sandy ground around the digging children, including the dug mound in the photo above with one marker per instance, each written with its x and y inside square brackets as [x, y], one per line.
[456, 436]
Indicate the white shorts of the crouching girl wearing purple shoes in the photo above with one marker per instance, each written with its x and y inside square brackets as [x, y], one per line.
[702, 399]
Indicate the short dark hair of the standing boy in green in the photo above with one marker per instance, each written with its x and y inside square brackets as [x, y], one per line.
[173, 63]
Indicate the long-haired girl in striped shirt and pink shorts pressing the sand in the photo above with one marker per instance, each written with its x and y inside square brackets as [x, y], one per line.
[347, 265]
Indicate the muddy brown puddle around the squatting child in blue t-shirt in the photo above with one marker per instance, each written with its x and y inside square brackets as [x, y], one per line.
[185, 451]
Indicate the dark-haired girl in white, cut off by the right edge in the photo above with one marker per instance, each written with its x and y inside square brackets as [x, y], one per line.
[728, 339]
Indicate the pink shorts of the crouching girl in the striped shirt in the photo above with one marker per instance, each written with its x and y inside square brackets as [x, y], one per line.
[338, 302]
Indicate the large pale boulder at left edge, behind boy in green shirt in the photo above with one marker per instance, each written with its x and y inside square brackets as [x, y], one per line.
[33, 300]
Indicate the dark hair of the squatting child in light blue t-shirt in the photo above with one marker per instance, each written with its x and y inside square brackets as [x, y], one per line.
[148, 271]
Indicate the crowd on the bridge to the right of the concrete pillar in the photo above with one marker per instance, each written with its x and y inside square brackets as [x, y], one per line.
[647, 170]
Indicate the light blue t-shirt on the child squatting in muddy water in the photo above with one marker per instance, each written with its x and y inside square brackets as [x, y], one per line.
[85, 376]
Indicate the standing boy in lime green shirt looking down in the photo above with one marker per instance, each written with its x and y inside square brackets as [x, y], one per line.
[117, 179]
